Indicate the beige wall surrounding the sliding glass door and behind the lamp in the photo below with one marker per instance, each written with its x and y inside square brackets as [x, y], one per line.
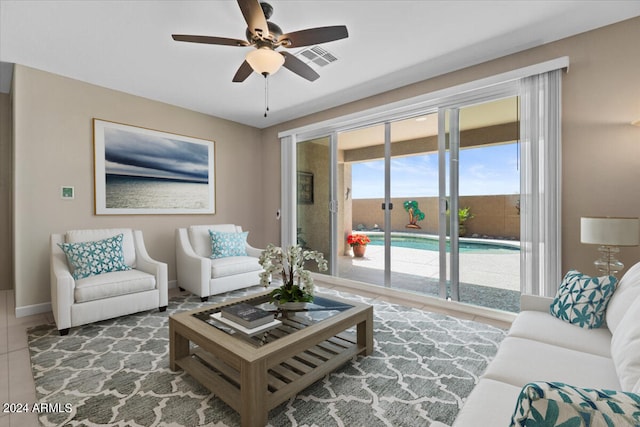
[601, 95]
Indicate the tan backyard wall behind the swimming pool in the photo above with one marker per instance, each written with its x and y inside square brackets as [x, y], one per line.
[494, 216]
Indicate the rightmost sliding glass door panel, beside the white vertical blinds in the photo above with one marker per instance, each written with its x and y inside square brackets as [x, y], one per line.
[480, 194]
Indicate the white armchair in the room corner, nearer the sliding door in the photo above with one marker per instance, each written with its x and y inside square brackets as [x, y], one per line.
[201, 275]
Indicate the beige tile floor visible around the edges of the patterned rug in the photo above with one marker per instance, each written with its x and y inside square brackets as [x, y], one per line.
[16, 380]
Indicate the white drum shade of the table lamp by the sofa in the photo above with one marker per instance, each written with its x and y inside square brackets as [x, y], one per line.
[610, 231]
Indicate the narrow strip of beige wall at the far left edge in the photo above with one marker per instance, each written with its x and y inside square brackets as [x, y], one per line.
[6, 249]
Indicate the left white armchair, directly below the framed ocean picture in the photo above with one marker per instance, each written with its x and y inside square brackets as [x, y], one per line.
[110, 294]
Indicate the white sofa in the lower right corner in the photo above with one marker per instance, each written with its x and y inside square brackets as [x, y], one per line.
[541, 348]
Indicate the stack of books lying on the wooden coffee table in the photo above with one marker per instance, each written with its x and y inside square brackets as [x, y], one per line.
[246, 318]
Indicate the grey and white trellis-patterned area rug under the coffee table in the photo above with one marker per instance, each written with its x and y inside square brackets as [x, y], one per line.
[116, 373]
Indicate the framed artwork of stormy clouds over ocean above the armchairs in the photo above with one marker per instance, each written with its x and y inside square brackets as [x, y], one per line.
[144, 171]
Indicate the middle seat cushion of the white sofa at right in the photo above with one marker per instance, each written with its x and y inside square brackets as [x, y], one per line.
[520, 361]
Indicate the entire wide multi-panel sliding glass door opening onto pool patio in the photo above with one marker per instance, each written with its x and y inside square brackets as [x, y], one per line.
[436, 189]
